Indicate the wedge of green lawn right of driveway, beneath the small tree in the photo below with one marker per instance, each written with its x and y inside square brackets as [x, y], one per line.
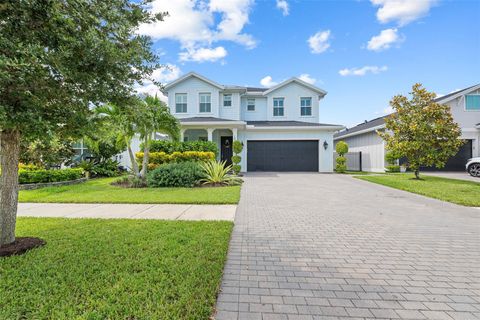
[457, 191]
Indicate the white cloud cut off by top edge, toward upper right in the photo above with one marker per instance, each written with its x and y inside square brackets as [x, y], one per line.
[402, 11]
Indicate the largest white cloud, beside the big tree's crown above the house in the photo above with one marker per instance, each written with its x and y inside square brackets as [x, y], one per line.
[193, 23]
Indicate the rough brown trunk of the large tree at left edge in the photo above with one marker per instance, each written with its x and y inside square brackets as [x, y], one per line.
[9, 154]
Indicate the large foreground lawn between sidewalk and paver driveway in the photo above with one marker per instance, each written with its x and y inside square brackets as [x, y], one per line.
[115, 269]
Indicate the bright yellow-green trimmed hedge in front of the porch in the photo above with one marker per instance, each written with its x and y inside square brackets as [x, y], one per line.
[159, 158]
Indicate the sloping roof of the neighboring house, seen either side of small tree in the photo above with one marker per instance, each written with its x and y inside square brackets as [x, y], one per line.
[379, 123]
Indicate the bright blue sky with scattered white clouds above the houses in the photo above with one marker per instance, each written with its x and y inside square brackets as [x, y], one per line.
[361, 52]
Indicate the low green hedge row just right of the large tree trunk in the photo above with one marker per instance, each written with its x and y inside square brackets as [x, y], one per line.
[42, 175]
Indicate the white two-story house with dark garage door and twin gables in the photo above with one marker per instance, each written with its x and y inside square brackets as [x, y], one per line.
[279, 126]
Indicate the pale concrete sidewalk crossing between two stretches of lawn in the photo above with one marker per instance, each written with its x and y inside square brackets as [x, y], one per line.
[128, 211]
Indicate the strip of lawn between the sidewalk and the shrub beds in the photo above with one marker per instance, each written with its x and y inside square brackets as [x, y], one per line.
[100, 191]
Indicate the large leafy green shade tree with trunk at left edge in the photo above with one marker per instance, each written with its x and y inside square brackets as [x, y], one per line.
[57, 60]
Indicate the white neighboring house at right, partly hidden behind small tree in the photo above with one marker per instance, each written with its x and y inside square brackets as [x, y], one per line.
[465, 108]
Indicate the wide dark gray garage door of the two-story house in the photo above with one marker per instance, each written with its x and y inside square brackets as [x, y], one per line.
[298, 155]
